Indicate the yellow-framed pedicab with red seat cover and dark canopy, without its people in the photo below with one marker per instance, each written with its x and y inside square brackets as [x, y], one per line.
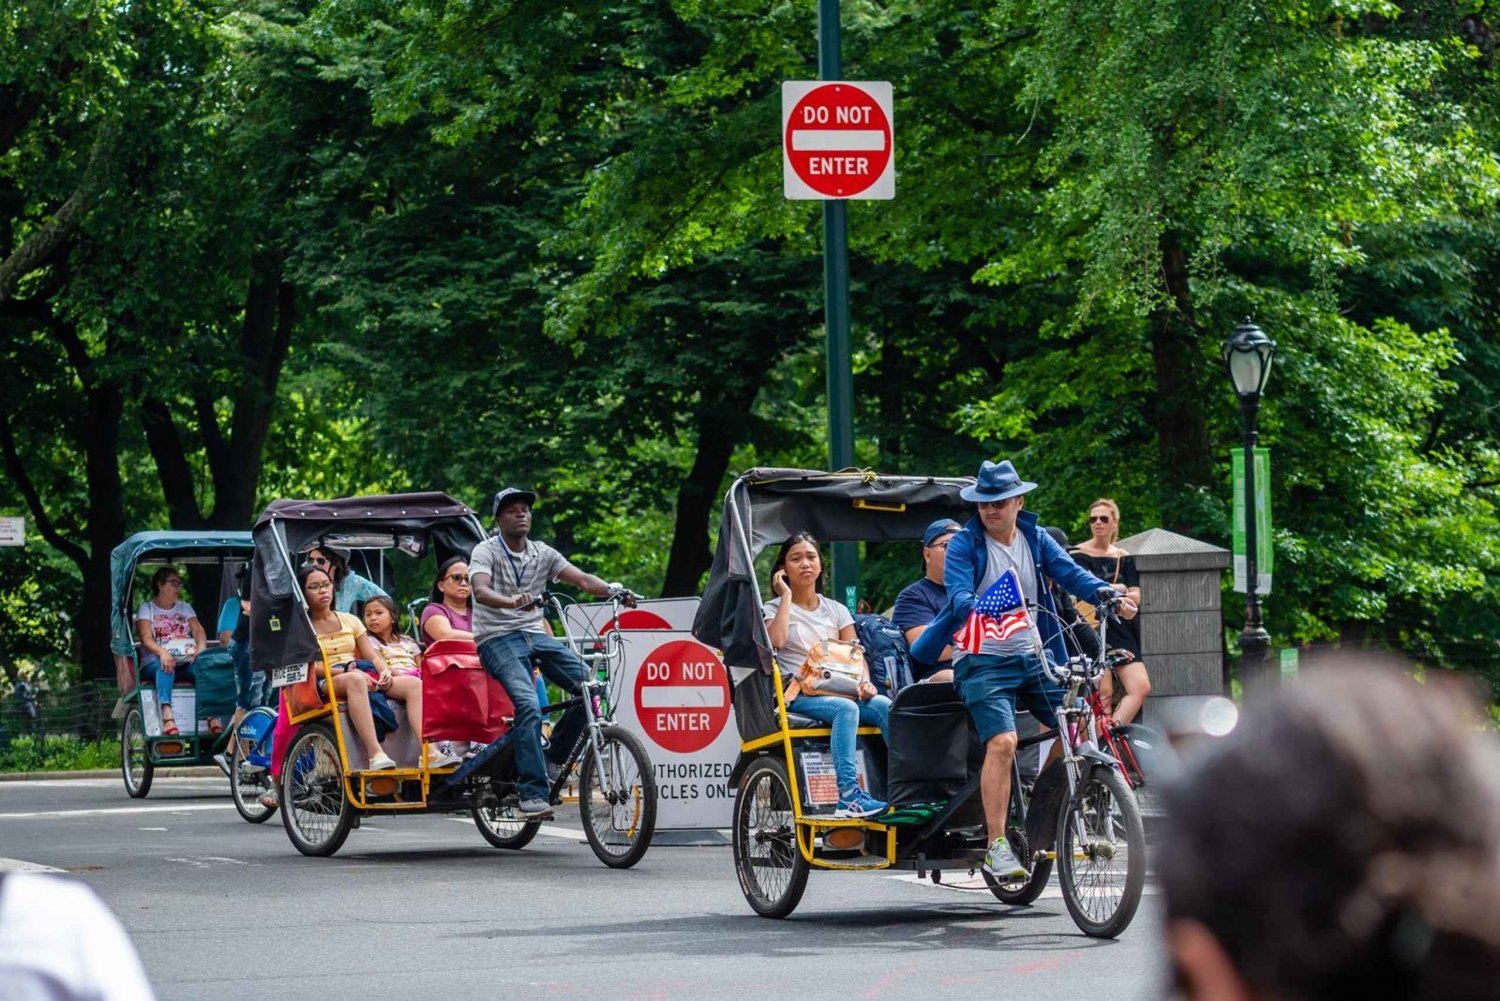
[326, 783]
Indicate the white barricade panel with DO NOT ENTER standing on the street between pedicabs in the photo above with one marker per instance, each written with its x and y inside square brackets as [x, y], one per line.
[676, 697]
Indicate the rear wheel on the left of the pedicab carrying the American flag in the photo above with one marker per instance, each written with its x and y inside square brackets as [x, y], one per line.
[772, 870]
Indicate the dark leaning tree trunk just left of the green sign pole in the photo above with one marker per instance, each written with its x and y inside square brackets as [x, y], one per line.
[724, 422]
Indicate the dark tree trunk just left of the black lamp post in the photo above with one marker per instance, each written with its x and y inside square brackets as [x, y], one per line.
[1183, 436]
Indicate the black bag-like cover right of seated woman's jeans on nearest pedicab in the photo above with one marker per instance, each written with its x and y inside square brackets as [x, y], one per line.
[932, 745]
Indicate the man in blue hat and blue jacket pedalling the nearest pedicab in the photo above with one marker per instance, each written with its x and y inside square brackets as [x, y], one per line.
[1003, 673]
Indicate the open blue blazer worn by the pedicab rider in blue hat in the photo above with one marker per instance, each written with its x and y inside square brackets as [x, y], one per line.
[964, 571]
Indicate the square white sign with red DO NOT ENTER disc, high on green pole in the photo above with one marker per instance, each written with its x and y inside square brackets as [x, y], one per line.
[838, 140]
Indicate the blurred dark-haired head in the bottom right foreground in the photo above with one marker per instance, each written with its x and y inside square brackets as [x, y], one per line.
[1343, 843]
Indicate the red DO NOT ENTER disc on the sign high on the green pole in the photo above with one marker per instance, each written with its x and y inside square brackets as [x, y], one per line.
[838, 140]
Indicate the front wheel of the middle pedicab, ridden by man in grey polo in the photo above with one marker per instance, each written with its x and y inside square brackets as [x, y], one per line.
[617, 804]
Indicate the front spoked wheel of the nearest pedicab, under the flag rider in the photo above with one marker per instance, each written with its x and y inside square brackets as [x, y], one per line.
[1102, 855]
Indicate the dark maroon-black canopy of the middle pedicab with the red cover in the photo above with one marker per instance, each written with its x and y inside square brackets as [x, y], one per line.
[413, 523]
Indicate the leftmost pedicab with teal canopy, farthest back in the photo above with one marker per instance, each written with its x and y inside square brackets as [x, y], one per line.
[211, 561]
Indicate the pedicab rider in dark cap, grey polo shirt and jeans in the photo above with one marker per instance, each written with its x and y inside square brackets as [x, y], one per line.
[509, 571]
